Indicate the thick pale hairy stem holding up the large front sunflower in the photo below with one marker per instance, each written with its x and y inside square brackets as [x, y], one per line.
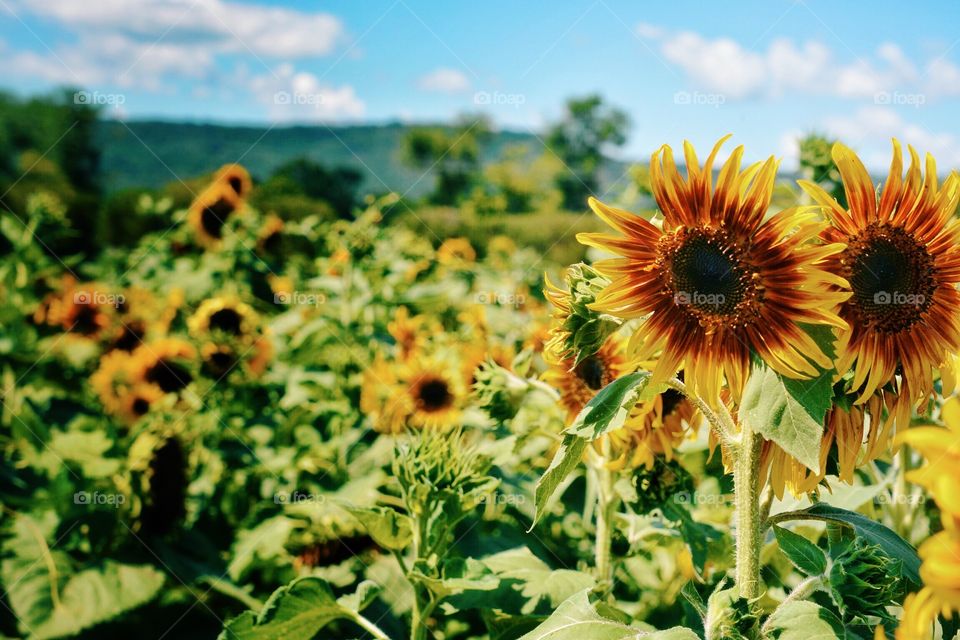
[746, 482]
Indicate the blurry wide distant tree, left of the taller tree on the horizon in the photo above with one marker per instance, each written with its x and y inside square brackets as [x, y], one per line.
[453, 154]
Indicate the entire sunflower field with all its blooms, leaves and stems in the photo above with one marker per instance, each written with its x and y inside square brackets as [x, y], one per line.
[734, 419]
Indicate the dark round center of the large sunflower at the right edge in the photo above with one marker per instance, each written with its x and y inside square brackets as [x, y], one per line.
[892, 278]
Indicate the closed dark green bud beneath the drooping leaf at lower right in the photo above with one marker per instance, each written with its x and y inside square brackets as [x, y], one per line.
[863, 582]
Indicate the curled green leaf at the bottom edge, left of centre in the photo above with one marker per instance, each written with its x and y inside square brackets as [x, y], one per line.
[297, 611]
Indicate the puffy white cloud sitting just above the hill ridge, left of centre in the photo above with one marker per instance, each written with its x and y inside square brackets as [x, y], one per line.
[299, 96]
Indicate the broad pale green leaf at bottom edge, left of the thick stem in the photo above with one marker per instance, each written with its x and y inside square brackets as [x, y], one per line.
[577, 619]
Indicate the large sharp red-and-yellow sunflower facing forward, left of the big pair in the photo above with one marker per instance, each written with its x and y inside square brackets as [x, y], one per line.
[717, 281]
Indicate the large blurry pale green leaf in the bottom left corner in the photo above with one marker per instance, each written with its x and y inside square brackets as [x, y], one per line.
[52, 598]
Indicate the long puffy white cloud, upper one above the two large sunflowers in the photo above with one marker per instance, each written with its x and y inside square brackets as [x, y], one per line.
[723, 65]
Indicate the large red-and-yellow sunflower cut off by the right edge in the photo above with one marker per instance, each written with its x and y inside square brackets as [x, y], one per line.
[902, 262]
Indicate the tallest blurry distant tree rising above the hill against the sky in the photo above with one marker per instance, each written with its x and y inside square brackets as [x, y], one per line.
[588, 128]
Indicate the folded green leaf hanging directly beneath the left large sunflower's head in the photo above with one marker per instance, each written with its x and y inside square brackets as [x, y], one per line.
[788, 412]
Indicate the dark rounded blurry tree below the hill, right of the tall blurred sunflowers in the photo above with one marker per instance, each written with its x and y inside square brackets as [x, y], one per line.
[337, 186]
